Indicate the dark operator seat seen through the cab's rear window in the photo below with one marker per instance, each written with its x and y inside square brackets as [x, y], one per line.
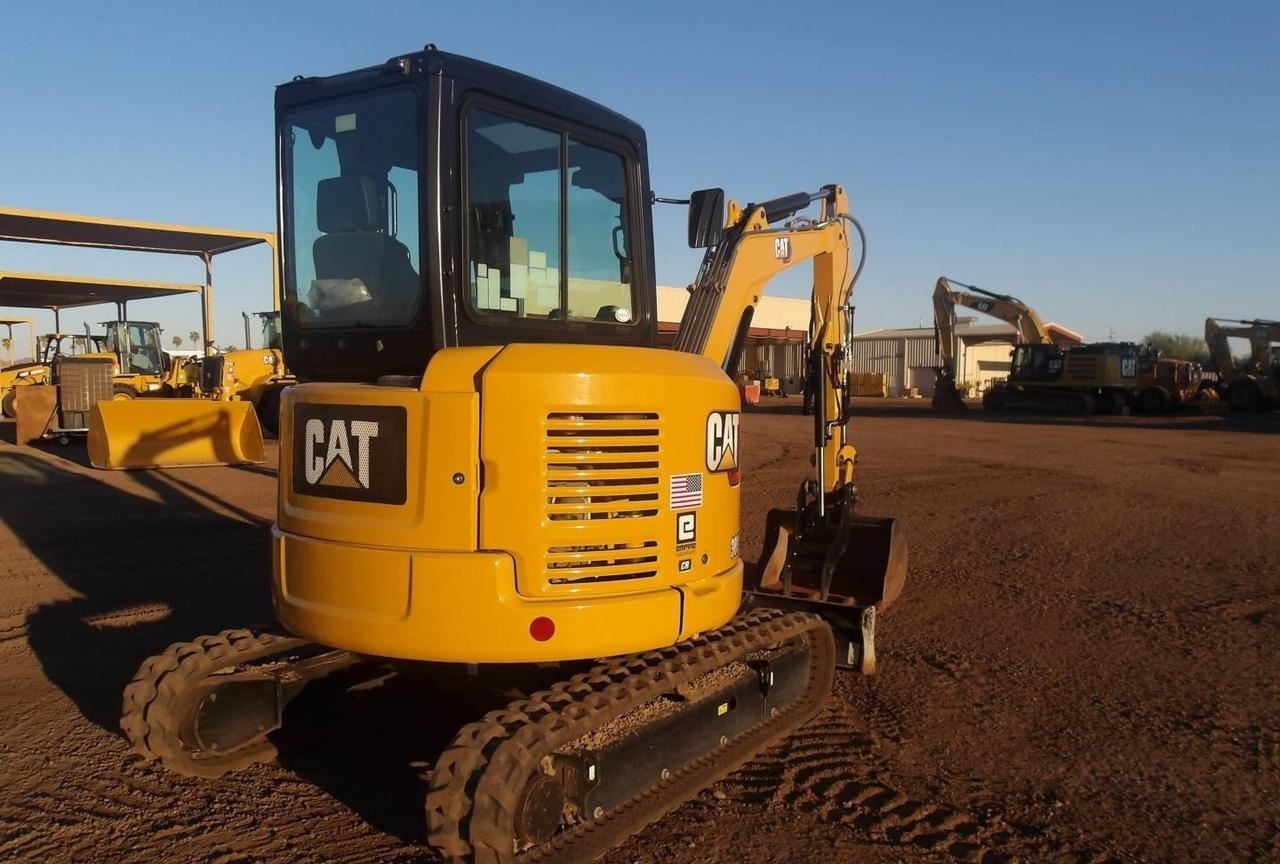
[350, 211]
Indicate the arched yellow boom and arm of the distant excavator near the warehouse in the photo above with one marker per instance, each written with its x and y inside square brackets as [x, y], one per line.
[947, 299]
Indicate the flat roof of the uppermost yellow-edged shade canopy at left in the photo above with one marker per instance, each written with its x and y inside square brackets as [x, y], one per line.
[102, 232]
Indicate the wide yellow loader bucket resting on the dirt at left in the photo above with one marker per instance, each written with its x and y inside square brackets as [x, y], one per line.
[156, 433]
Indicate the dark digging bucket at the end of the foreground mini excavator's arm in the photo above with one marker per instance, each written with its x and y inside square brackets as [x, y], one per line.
[862, 563]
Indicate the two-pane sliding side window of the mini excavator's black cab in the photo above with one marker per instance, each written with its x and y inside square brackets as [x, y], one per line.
[527, 185]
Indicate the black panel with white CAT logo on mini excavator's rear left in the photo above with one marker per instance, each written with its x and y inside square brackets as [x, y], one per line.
[353, 452]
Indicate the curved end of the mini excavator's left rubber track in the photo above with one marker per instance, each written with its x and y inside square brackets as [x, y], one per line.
[159, 698]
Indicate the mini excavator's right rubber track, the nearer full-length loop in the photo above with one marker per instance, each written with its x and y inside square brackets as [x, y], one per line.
[478, 781]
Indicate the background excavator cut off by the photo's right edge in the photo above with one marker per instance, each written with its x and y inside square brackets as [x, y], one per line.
[1256, 385]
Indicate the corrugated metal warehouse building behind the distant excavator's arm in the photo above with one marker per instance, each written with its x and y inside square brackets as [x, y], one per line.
[909, 356]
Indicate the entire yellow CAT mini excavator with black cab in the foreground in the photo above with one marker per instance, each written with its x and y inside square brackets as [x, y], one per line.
[488, 469]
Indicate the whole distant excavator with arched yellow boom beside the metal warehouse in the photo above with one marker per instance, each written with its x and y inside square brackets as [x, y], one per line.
[1044, 376]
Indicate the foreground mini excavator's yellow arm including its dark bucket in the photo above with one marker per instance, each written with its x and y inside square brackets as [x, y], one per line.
[820, 555]
